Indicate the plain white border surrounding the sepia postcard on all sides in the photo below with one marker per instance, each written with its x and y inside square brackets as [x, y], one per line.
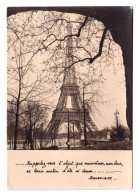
[3, 154]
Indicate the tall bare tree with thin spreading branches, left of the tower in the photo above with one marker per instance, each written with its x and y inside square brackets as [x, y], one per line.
[21, 87]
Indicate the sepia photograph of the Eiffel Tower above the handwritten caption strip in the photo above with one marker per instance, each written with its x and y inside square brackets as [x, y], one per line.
[69, 78]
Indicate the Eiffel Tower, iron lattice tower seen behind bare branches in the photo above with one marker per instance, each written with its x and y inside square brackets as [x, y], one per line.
[77, 113]
